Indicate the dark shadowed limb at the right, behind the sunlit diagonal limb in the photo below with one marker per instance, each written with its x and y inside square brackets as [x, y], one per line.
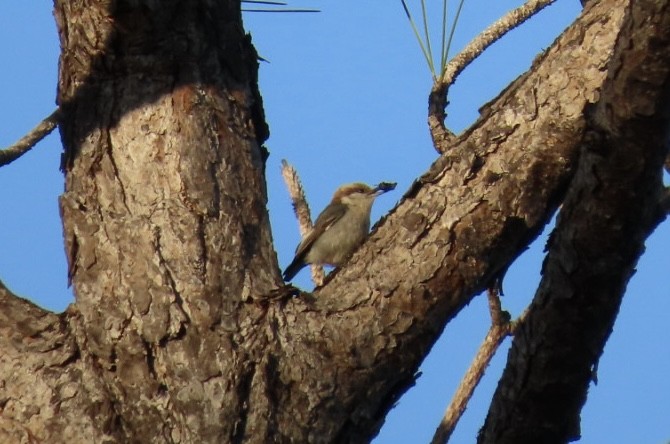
[613, 204]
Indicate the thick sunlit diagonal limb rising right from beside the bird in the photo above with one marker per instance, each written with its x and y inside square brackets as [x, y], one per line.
[425, 261]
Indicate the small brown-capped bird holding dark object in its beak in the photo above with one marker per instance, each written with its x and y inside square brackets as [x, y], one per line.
[340, 228]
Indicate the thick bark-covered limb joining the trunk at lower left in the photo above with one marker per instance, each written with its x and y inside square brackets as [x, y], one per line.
[45, 372]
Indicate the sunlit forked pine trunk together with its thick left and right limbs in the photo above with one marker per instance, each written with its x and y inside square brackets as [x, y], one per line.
[181, 330]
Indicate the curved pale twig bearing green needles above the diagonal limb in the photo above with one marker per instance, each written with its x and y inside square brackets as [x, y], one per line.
[437, 101]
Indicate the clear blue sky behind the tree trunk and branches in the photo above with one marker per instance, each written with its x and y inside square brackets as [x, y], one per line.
[345, 93]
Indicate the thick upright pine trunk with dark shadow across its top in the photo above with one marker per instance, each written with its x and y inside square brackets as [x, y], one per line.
[164, 216]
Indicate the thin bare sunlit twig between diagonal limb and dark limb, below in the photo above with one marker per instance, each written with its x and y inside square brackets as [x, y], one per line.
[501, 327]
